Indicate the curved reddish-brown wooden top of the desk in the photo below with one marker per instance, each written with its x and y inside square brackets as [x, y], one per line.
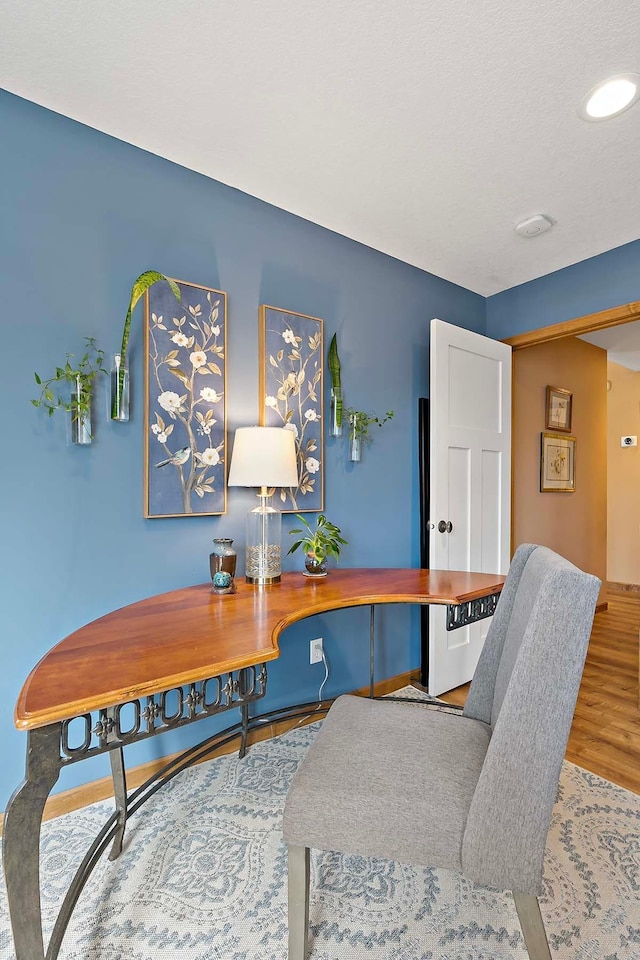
[191, 634]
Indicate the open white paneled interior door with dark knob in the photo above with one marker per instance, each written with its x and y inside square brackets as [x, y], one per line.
[469, 481]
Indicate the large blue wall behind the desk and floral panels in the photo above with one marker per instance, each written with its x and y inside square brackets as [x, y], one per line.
[81, 216]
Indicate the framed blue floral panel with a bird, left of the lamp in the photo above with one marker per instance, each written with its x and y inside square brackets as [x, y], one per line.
[185, 401]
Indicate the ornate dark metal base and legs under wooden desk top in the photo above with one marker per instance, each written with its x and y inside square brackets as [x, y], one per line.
[53, 747]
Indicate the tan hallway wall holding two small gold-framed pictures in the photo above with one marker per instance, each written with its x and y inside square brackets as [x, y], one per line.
[573, 524]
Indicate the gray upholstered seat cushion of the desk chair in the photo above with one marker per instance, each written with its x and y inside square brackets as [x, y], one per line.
[410, 805]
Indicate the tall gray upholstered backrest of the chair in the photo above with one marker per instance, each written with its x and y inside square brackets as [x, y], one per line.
[525, 687]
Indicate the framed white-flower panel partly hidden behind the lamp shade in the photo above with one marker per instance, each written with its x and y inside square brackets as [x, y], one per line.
[291, 396]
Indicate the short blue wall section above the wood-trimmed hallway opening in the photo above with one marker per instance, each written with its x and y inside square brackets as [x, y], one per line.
[601, 282]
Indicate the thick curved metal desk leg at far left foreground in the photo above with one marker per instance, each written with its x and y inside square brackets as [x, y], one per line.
[21, 841]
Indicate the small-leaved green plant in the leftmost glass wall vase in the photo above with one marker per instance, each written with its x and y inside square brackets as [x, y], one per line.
[81, 374]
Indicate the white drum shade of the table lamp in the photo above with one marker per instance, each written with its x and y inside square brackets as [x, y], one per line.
[263, 457]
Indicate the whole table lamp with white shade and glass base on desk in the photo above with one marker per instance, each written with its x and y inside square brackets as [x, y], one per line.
[264, 457]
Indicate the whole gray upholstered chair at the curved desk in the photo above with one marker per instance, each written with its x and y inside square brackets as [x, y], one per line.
[477, 787]
